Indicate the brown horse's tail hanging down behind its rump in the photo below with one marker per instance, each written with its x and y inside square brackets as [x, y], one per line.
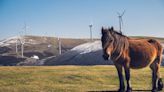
[159, 48]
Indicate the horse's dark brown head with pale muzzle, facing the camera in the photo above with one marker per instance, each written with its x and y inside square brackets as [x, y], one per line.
[107, 42]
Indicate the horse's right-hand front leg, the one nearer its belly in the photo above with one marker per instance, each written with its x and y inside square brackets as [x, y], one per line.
[127, 74]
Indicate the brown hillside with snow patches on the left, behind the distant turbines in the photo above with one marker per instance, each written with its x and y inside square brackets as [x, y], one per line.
[43, 47]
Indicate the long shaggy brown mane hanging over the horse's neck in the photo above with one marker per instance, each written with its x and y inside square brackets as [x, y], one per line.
[120, 44]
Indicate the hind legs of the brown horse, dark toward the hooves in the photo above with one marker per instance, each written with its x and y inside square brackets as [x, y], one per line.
[155, 67]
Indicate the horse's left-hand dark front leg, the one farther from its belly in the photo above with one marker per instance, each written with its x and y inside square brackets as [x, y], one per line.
[121, 78]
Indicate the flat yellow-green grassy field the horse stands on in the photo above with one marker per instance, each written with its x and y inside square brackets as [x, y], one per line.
[69, 79]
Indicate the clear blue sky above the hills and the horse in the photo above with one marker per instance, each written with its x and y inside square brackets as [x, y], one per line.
[70, 18]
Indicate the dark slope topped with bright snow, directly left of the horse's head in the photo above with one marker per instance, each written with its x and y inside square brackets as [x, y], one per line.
[85, 54]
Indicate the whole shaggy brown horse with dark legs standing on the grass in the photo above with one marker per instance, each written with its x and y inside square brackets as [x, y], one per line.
[129, 53]
